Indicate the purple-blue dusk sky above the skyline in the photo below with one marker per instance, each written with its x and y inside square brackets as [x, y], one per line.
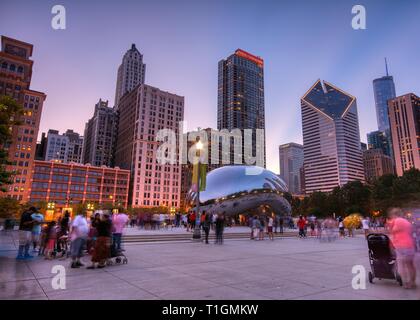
[182, 42]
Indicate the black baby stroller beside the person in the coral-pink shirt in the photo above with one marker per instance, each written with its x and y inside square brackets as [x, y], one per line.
[382, 259]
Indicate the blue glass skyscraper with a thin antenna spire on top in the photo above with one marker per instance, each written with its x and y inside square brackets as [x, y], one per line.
[384, 90]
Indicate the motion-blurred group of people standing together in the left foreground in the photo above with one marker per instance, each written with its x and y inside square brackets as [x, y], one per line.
[96, 235]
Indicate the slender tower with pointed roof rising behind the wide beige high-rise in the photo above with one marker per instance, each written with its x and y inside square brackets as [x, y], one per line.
[131, 73]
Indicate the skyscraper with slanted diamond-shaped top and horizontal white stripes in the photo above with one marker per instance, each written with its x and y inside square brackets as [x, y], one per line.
[331, 138]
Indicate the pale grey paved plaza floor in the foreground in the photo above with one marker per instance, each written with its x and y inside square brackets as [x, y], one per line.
[287, 268]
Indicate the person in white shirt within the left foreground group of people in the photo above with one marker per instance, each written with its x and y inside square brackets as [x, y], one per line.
[78, 236]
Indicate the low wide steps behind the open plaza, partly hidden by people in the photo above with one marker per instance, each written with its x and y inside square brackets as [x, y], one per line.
[187, 236]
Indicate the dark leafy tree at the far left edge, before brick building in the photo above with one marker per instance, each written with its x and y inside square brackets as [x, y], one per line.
[10, 113]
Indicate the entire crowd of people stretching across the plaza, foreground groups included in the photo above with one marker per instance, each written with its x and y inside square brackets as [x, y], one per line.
[100, 233]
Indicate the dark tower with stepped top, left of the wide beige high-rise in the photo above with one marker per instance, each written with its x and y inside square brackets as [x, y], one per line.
[99, 136]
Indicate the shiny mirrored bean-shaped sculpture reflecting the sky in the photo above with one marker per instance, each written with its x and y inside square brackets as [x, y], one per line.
[233, 190]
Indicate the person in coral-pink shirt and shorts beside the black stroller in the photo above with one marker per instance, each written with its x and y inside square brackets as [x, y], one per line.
[401, 231]
